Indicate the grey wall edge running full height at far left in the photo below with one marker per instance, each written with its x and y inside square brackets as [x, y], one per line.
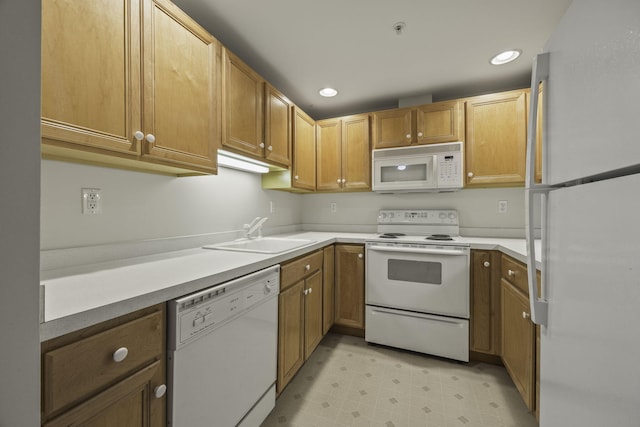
[19, 204]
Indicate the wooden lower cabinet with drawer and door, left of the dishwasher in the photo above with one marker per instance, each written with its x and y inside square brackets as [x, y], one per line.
[83, 384]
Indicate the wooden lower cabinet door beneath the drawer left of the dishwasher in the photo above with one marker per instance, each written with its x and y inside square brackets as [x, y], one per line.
[129, 403]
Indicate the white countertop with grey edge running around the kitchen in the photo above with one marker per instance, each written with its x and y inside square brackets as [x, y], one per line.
[74, 298]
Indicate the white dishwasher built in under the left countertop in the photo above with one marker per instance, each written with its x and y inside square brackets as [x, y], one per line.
[222, 353]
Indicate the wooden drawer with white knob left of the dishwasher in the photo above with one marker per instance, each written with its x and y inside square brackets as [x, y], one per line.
[82, 368]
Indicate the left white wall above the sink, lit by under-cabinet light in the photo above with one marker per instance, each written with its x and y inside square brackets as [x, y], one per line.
[139, 206]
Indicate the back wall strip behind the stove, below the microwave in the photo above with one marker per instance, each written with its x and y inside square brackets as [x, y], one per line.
[478, 210]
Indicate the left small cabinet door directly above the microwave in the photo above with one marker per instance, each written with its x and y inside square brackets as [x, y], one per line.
[392, 128]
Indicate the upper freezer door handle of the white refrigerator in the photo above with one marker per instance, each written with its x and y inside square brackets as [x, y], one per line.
[539, 74]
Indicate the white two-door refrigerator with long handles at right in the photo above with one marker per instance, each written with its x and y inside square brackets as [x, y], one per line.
[589, 310]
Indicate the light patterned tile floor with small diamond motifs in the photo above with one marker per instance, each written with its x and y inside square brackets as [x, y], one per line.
[347, 382]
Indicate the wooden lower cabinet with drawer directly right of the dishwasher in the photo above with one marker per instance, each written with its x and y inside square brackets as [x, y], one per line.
[300, 315]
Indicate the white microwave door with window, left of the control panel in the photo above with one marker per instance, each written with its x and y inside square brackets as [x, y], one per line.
[408, 173]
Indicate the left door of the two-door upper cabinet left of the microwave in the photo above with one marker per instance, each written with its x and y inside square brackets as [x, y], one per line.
[329, 152]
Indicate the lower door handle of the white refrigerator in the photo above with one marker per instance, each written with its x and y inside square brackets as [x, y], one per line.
[538, 306]
